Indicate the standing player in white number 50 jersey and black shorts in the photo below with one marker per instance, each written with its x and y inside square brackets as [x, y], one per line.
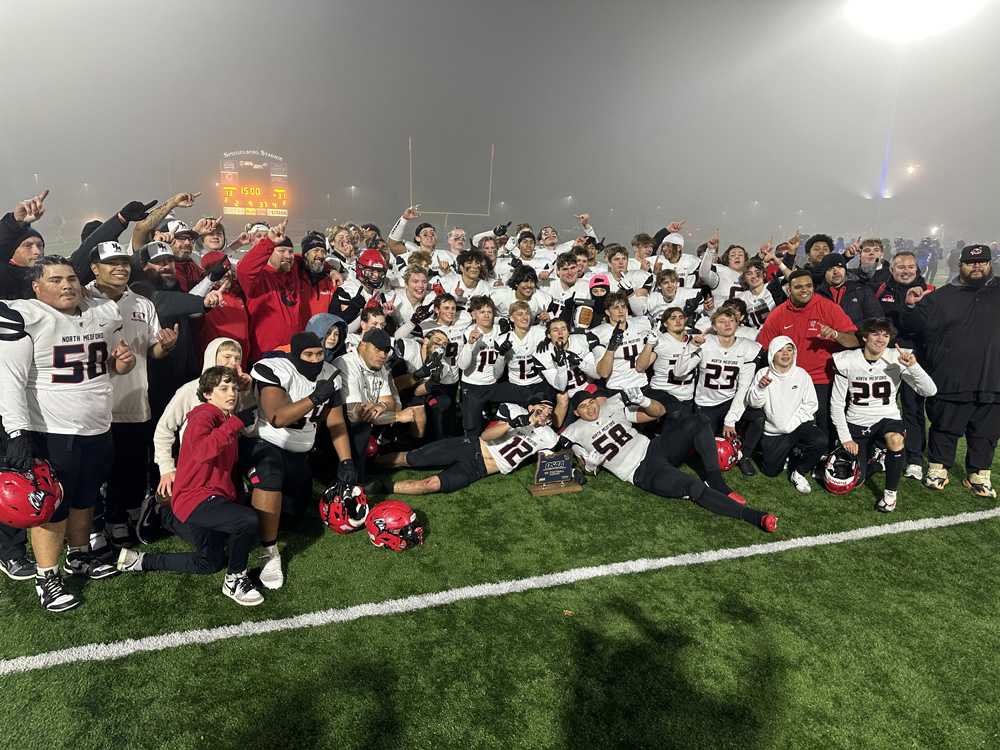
[58, 353]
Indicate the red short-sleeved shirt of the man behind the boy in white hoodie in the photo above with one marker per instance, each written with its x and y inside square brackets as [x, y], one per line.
[802, 325]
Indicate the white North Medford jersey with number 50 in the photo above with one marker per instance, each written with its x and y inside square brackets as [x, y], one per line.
[54, 366]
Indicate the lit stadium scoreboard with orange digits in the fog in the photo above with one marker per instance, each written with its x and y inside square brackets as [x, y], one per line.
[253, 183]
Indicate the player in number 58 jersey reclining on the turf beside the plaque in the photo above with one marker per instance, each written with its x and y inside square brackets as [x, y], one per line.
[603, 435]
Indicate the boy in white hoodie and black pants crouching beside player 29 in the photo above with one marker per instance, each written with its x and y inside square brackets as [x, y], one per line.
[786, 394]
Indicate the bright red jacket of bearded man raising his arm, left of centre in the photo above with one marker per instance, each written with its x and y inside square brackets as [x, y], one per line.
[277, 303]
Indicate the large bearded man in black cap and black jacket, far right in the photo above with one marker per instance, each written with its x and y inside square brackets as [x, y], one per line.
[957, 326]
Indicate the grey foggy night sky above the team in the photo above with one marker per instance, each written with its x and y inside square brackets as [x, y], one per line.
[754, 117]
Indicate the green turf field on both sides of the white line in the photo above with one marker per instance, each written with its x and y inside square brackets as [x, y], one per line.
[886, 642]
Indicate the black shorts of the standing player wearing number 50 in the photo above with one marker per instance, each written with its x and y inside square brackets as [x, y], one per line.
[82, 464]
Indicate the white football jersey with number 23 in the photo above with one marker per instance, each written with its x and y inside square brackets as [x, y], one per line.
[723, 373]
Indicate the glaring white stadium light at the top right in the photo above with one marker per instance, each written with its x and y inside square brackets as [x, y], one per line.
[902, 21]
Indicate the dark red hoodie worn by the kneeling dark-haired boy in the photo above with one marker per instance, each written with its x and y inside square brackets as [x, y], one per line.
[205, 464]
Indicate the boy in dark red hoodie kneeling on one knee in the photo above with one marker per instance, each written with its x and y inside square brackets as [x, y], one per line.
[203, 508]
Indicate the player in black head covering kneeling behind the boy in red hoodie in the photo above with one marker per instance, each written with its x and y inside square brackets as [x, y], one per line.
[297, 392]
